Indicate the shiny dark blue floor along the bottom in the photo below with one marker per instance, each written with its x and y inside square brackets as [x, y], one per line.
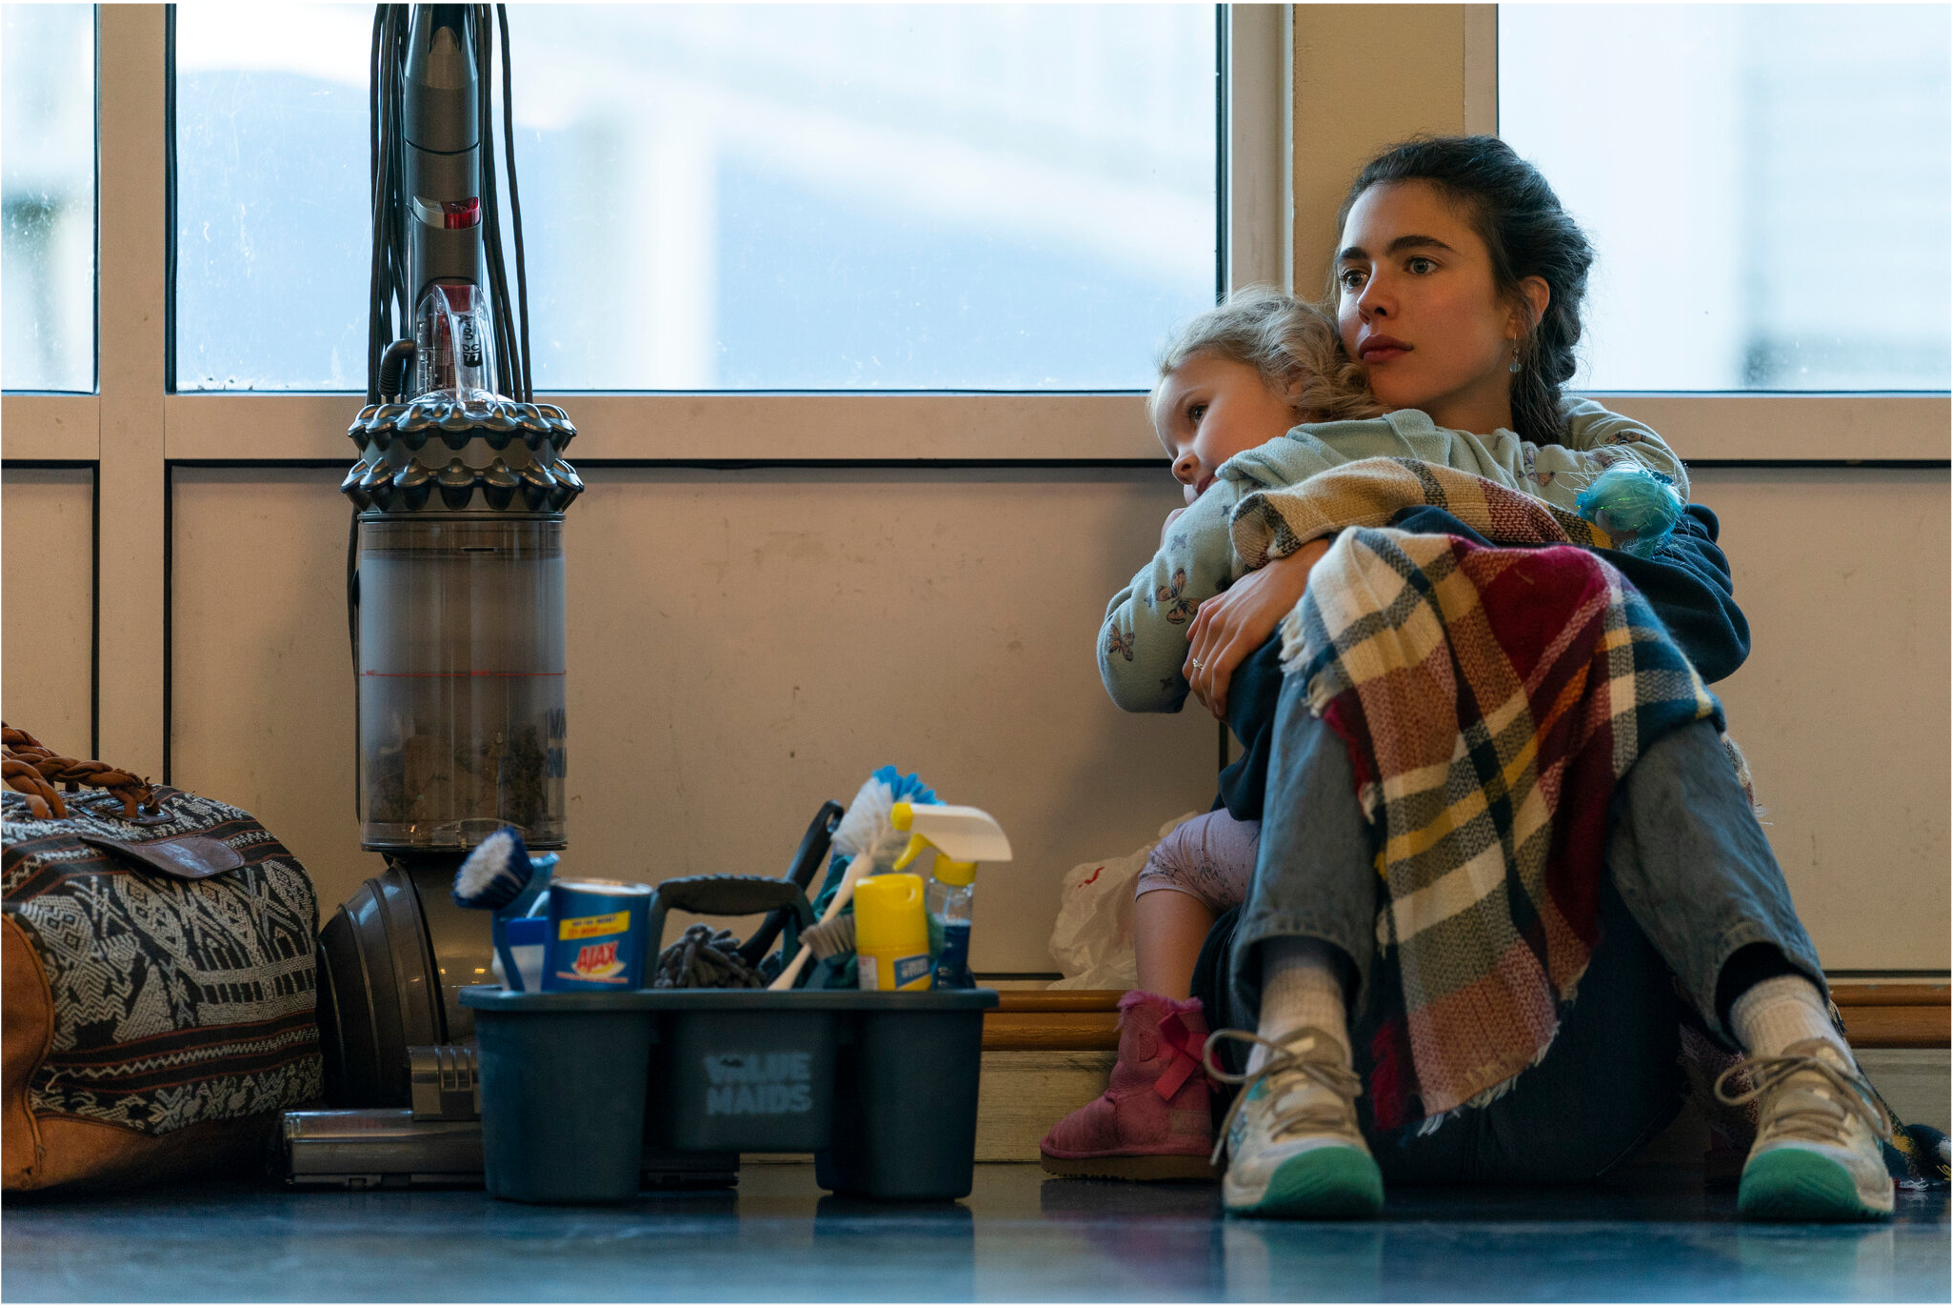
[1021, 1237]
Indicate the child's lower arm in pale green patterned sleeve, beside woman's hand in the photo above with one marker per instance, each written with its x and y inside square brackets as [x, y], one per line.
[1144, 637]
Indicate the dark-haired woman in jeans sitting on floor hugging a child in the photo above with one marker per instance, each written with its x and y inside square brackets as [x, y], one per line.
[1460, 291]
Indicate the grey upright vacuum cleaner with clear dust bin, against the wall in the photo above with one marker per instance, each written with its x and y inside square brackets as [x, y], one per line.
[455, 563]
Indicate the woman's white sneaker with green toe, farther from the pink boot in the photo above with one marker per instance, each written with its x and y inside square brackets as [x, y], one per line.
[1818, 1154]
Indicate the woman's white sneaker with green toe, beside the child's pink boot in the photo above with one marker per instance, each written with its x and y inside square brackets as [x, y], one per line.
[1293, 1135]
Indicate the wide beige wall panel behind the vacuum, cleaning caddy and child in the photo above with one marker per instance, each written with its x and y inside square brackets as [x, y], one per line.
[743, 647]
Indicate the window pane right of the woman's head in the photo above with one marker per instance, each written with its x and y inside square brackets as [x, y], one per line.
[1769, 187]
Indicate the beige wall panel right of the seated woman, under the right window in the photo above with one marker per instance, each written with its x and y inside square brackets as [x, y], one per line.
[1845, 706]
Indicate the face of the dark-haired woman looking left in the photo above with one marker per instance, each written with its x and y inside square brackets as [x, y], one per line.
[1419, 308]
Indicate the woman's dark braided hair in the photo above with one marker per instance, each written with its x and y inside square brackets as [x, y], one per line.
[1528, 234]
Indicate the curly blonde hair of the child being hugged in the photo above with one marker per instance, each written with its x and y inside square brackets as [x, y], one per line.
[1295, 348]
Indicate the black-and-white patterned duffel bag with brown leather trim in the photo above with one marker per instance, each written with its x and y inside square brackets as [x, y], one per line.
[156, 978]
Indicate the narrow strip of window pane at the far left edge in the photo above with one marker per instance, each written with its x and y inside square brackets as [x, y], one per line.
[48, 197]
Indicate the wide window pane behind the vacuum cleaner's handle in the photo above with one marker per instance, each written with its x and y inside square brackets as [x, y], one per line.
[737, 197]
